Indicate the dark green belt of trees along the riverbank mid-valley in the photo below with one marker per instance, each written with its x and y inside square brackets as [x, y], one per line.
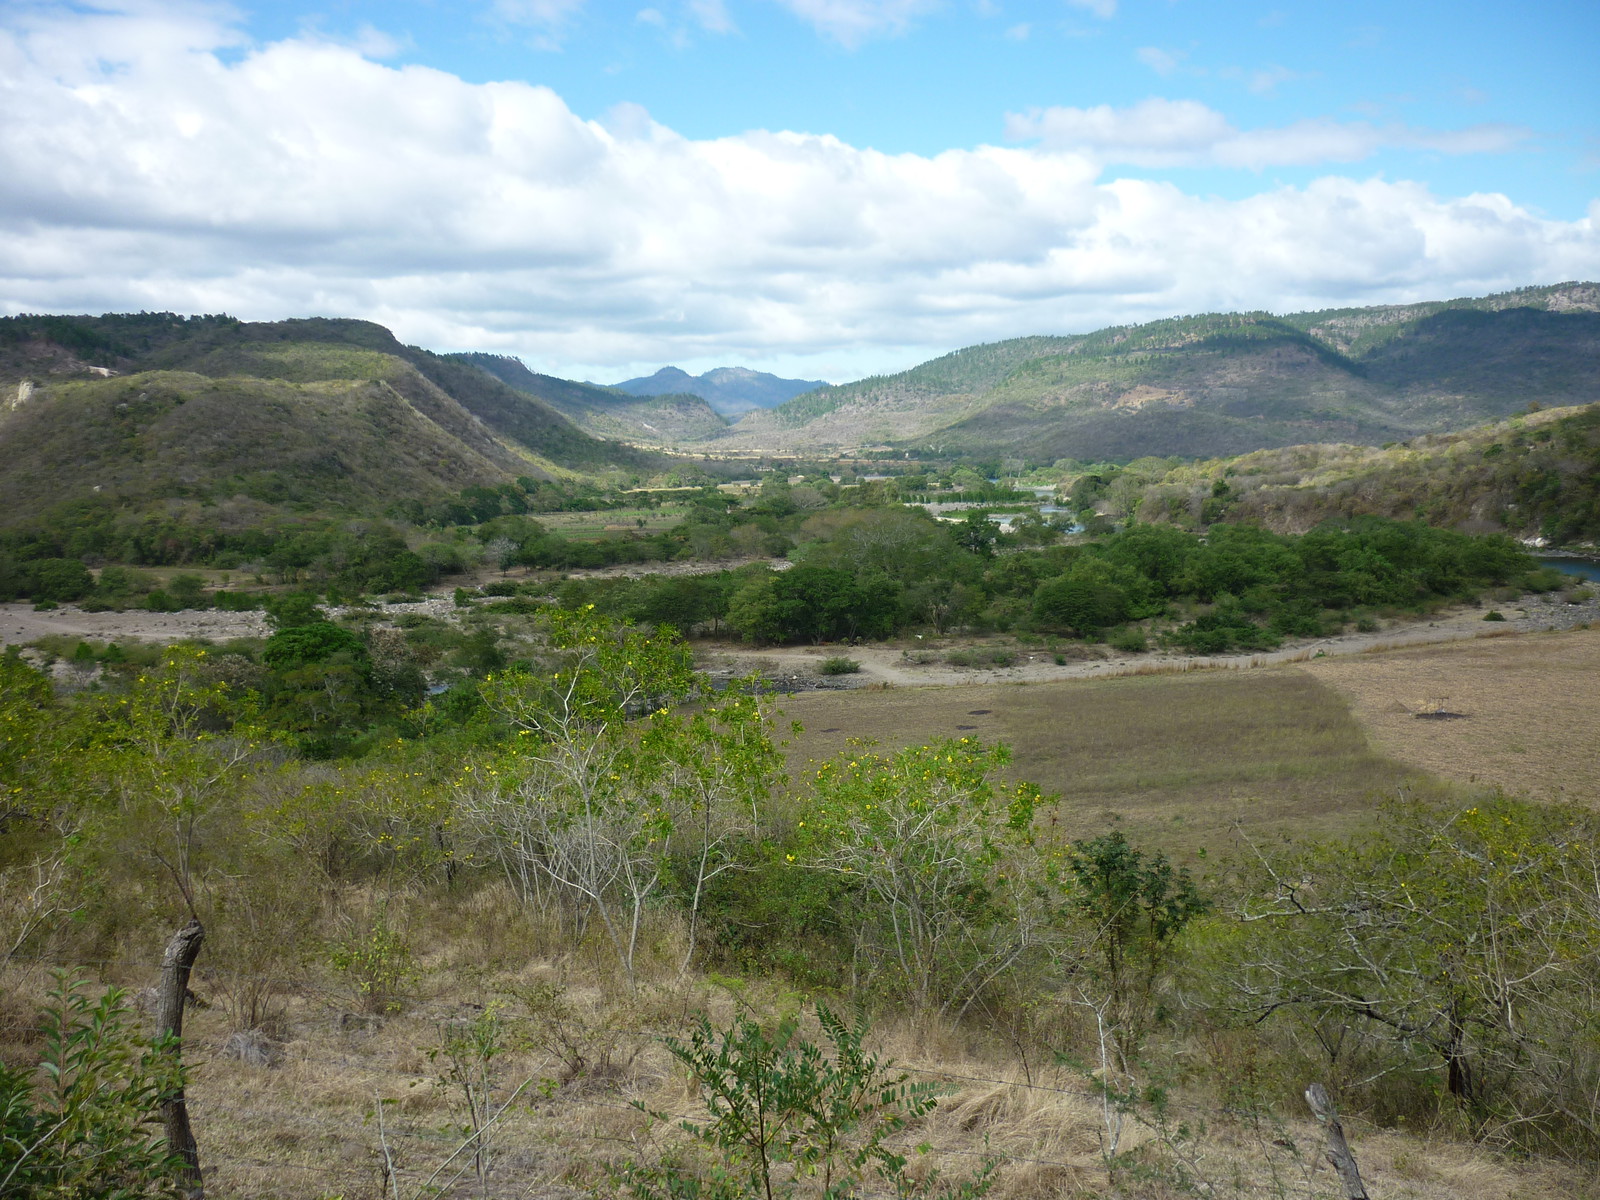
[874, 574]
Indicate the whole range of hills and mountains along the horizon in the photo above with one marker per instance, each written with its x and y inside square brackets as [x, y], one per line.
[158, 412]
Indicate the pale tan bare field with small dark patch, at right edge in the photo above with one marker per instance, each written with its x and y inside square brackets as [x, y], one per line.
[1530, 710]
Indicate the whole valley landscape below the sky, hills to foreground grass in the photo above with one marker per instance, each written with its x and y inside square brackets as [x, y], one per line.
[1086, 686]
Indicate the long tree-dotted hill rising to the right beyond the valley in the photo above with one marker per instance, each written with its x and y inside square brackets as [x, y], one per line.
[1217, 385]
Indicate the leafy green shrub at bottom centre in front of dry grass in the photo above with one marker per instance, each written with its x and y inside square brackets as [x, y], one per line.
[788, 1119]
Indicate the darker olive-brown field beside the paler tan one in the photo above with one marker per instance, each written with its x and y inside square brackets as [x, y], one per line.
[1178, 759]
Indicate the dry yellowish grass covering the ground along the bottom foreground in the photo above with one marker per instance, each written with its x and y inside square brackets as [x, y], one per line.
[306, 1129]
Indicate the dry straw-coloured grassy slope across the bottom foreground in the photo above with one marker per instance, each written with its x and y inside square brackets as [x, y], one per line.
[306, 1127]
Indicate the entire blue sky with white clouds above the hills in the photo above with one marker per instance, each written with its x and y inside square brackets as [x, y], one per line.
[820, 188]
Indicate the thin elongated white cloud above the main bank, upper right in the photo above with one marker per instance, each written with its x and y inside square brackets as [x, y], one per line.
[1188, 134]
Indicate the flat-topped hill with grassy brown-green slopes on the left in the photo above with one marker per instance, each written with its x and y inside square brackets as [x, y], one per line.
[314, 414]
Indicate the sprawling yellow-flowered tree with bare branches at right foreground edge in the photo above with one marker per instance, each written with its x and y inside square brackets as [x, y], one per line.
[1455, 946]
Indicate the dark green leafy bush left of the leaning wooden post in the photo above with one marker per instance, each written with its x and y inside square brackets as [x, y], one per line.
[86, 1129]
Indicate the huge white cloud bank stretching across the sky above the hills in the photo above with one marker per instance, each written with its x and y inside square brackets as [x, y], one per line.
[142, 169]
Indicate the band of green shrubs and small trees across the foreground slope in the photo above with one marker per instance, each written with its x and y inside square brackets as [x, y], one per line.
[1444, 967]
